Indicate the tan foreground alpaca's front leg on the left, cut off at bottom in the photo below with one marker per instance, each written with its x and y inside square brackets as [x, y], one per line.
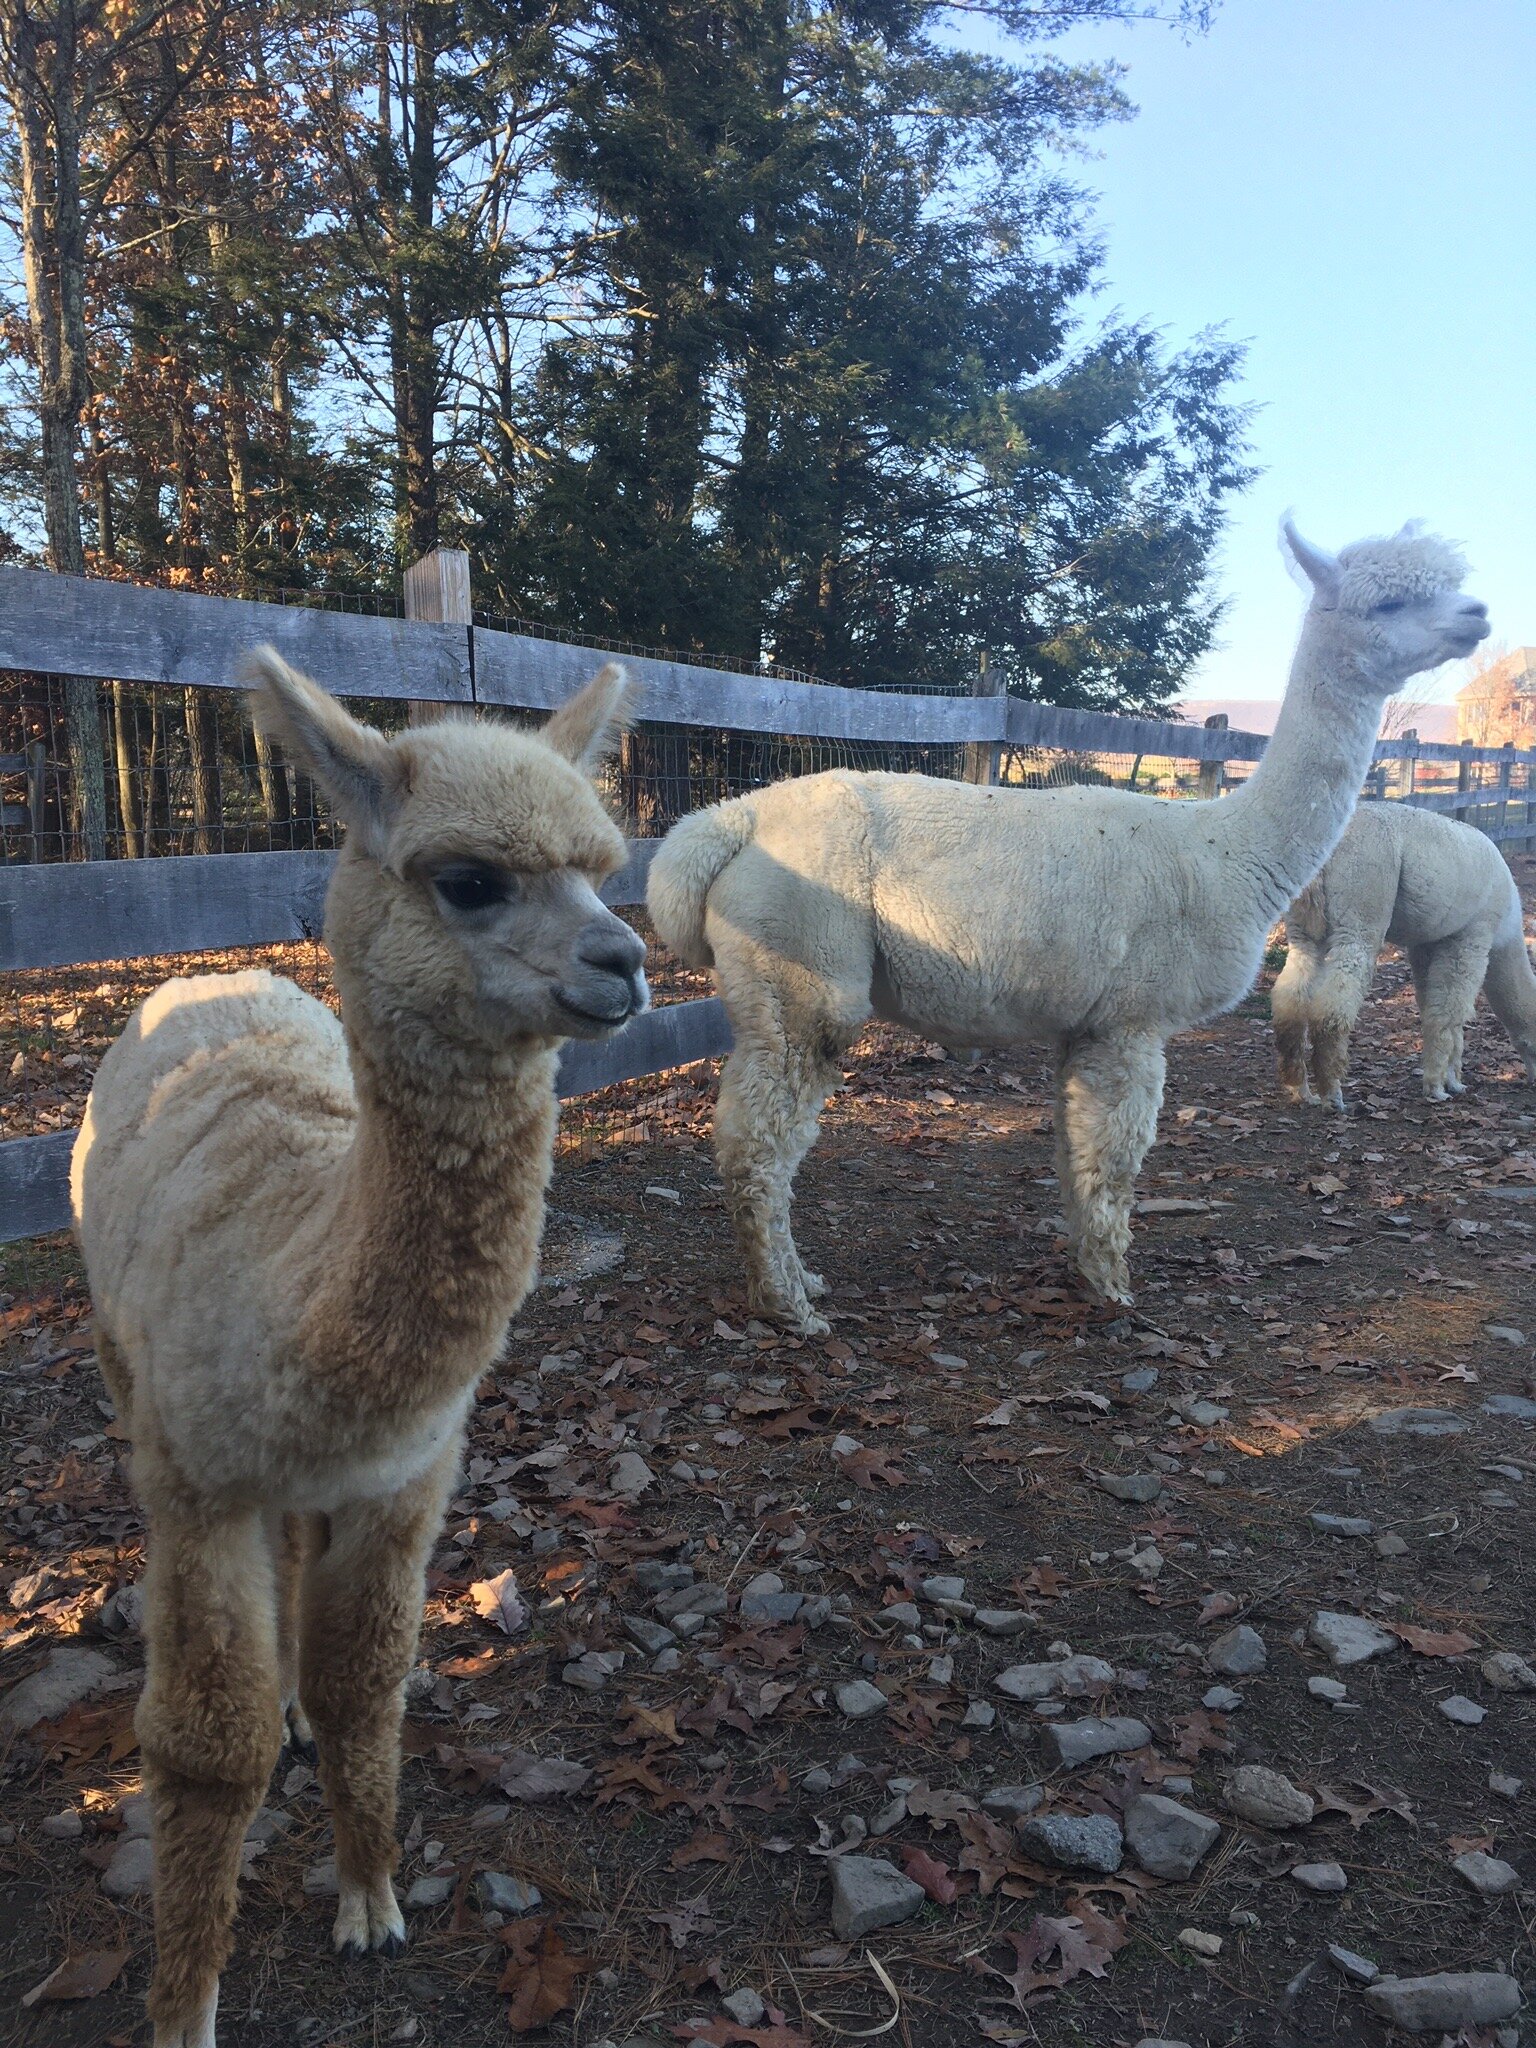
[210, 1736]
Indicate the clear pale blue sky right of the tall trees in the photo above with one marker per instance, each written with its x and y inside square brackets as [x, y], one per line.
[1351, 187]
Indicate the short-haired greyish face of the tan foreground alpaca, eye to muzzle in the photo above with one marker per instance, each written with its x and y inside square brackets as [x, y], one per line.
[544, 949]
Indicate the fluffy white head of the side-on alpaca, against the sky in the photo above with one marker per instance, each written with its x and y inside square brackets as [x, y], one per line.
[1390, 607]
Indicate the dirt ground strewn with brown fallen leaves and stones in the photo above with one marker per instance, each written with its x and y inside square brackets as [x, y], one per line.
[1299, 1277]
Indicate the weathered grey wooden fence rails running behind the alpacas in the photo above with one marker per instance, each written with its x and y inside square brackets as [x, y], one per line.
[77, 912]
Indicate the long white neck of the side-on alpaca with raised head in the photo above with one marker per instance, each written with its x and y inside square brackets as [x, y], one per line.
[1283, 824]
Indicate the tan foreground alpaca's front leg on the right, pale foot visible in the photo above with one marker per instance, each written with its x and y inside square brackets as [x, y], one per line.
[361, 1621]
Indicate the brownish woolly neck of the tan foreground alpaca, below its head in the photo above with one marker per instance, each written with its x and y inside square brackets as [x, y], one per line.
[433, 1234]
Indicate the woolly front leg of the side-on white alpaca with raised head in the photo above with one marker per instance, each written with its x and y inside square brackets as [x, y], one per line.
[1109, 1093]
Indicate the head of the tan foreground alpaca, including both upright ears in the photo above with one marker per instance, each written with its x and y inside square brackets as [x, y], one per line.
[466, 902]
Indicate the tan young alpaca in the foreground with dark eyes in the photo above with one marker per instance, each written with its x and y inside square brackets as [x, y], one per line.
[304, 1244]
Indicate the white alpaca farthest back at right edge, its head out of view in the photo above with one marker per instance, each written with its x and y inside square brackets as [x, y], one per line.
[1435, 888]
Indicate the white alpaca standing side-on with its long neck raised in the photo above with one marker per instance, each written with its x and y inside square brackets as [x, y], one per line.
[1097, 921]
